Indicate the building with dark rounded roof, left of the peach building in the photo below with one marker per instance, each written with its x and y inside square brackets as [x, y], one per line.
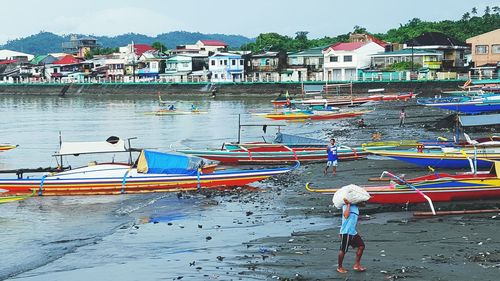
[453, 50]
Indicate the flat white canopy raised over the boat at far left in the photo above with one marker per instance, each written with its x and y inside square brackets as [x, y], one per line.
[76, 148]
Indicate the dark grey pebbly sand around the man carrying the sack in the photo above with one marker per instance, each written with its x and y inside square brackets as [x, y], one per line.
[398, 245]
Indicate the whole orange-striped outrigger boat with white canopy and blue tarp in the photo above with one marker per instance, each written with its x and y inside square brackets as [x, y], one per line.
[151, 172]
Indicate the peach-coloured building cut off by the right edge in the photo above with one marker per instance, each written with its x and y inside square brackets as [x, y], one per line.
[486, 53]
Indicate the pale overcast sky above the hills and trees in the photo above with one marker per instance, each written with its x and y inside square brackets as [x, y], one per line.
[249, 18]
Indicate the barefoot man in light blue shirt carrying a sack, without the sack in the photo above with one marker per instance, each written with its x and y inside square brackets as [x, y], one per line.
[349, 236]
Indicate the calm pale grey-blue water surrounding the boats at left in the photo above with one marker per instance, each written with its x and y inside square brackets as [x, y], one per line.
[152, 236]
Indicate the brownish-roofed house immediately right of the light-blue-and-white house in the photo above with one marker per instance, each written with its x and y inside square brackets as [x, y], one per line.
[265, 66]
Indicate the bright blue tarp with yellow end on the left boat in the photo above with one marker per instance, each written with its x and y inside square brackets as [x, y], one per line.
[154, 162]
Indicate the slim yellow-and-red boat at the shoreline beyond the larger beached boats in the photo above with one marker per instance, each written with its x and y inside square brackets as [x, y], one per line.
[318, 115]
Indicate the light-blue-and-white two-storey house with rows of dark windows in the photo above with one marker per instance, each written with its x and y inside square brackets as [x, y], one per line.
[226, 67]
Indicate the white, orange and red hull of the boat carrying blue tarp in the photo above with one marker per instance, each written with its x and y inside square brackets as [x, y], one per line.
[121, 180]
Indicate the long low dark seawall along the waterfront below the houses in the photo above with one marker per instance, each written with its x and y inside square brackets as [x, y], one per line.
[253, 89]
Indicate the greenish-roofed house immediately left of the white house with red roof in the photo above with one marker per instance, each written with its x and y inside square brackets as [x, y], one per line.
[305, 65]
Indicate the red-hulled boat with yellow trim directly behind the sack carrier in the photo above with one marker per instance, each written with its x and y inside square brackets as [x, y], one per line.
[438, 187]
